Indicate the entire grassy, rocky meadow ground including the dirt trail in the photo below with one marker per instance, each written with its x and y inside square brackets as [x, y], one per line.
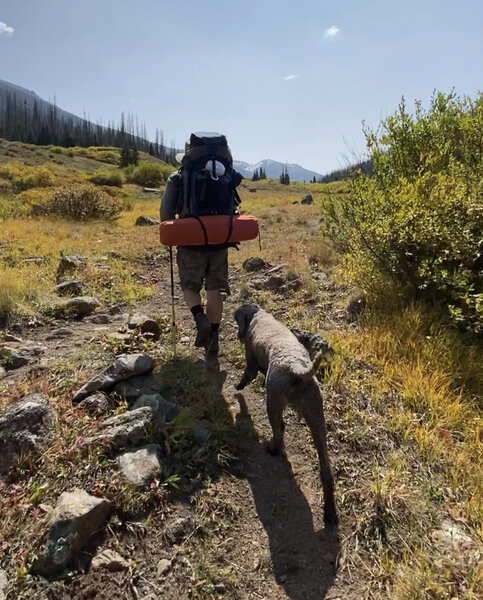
[219, 517]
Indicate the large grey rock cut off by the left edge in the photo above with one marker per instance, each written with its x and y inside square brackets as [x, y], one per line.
[27, 425]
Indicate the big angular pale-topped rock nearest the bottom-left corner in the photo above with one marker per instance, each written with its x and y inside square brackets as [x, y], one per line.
[74, 520]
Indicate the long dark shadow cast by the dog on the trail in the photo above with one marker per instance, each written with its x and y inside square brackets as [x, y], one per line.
[303, 559]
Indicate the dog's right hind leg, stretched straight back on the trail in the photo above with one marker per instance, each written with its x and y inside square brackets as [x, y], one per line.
[313, 412]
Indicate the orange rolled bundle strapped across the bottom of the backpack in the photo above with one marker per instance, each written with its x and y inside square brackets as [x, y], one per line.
[210, 229]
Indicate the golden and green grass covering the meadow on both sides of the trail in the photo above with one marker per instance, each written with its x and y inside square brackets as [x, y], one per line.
[403, 396]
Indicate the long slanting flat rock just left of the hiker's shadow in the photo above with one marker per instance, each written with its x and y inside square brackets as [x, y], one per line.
[124, 367]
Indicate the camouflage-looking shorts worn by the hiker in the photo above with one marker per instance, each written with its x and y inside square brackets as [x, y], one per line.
[203, 267]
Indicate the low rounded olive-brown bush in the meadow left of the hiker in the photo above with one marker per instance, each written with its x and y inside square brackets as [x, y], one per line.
[83, 203]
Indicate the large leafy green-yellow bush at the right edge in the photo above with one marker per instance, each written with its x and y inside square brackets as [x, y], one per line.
[417, 224]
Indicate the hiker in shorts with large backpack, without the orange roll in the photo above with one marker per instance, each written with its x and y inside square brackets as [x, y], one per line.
[204, 185]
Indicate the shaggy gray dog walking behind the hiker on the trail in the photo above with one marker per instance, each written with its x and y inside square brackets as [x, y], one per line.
[290, 378]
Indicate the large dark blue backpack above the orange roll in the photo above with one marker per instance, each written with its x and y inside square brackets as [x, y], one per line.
[208, 181]
